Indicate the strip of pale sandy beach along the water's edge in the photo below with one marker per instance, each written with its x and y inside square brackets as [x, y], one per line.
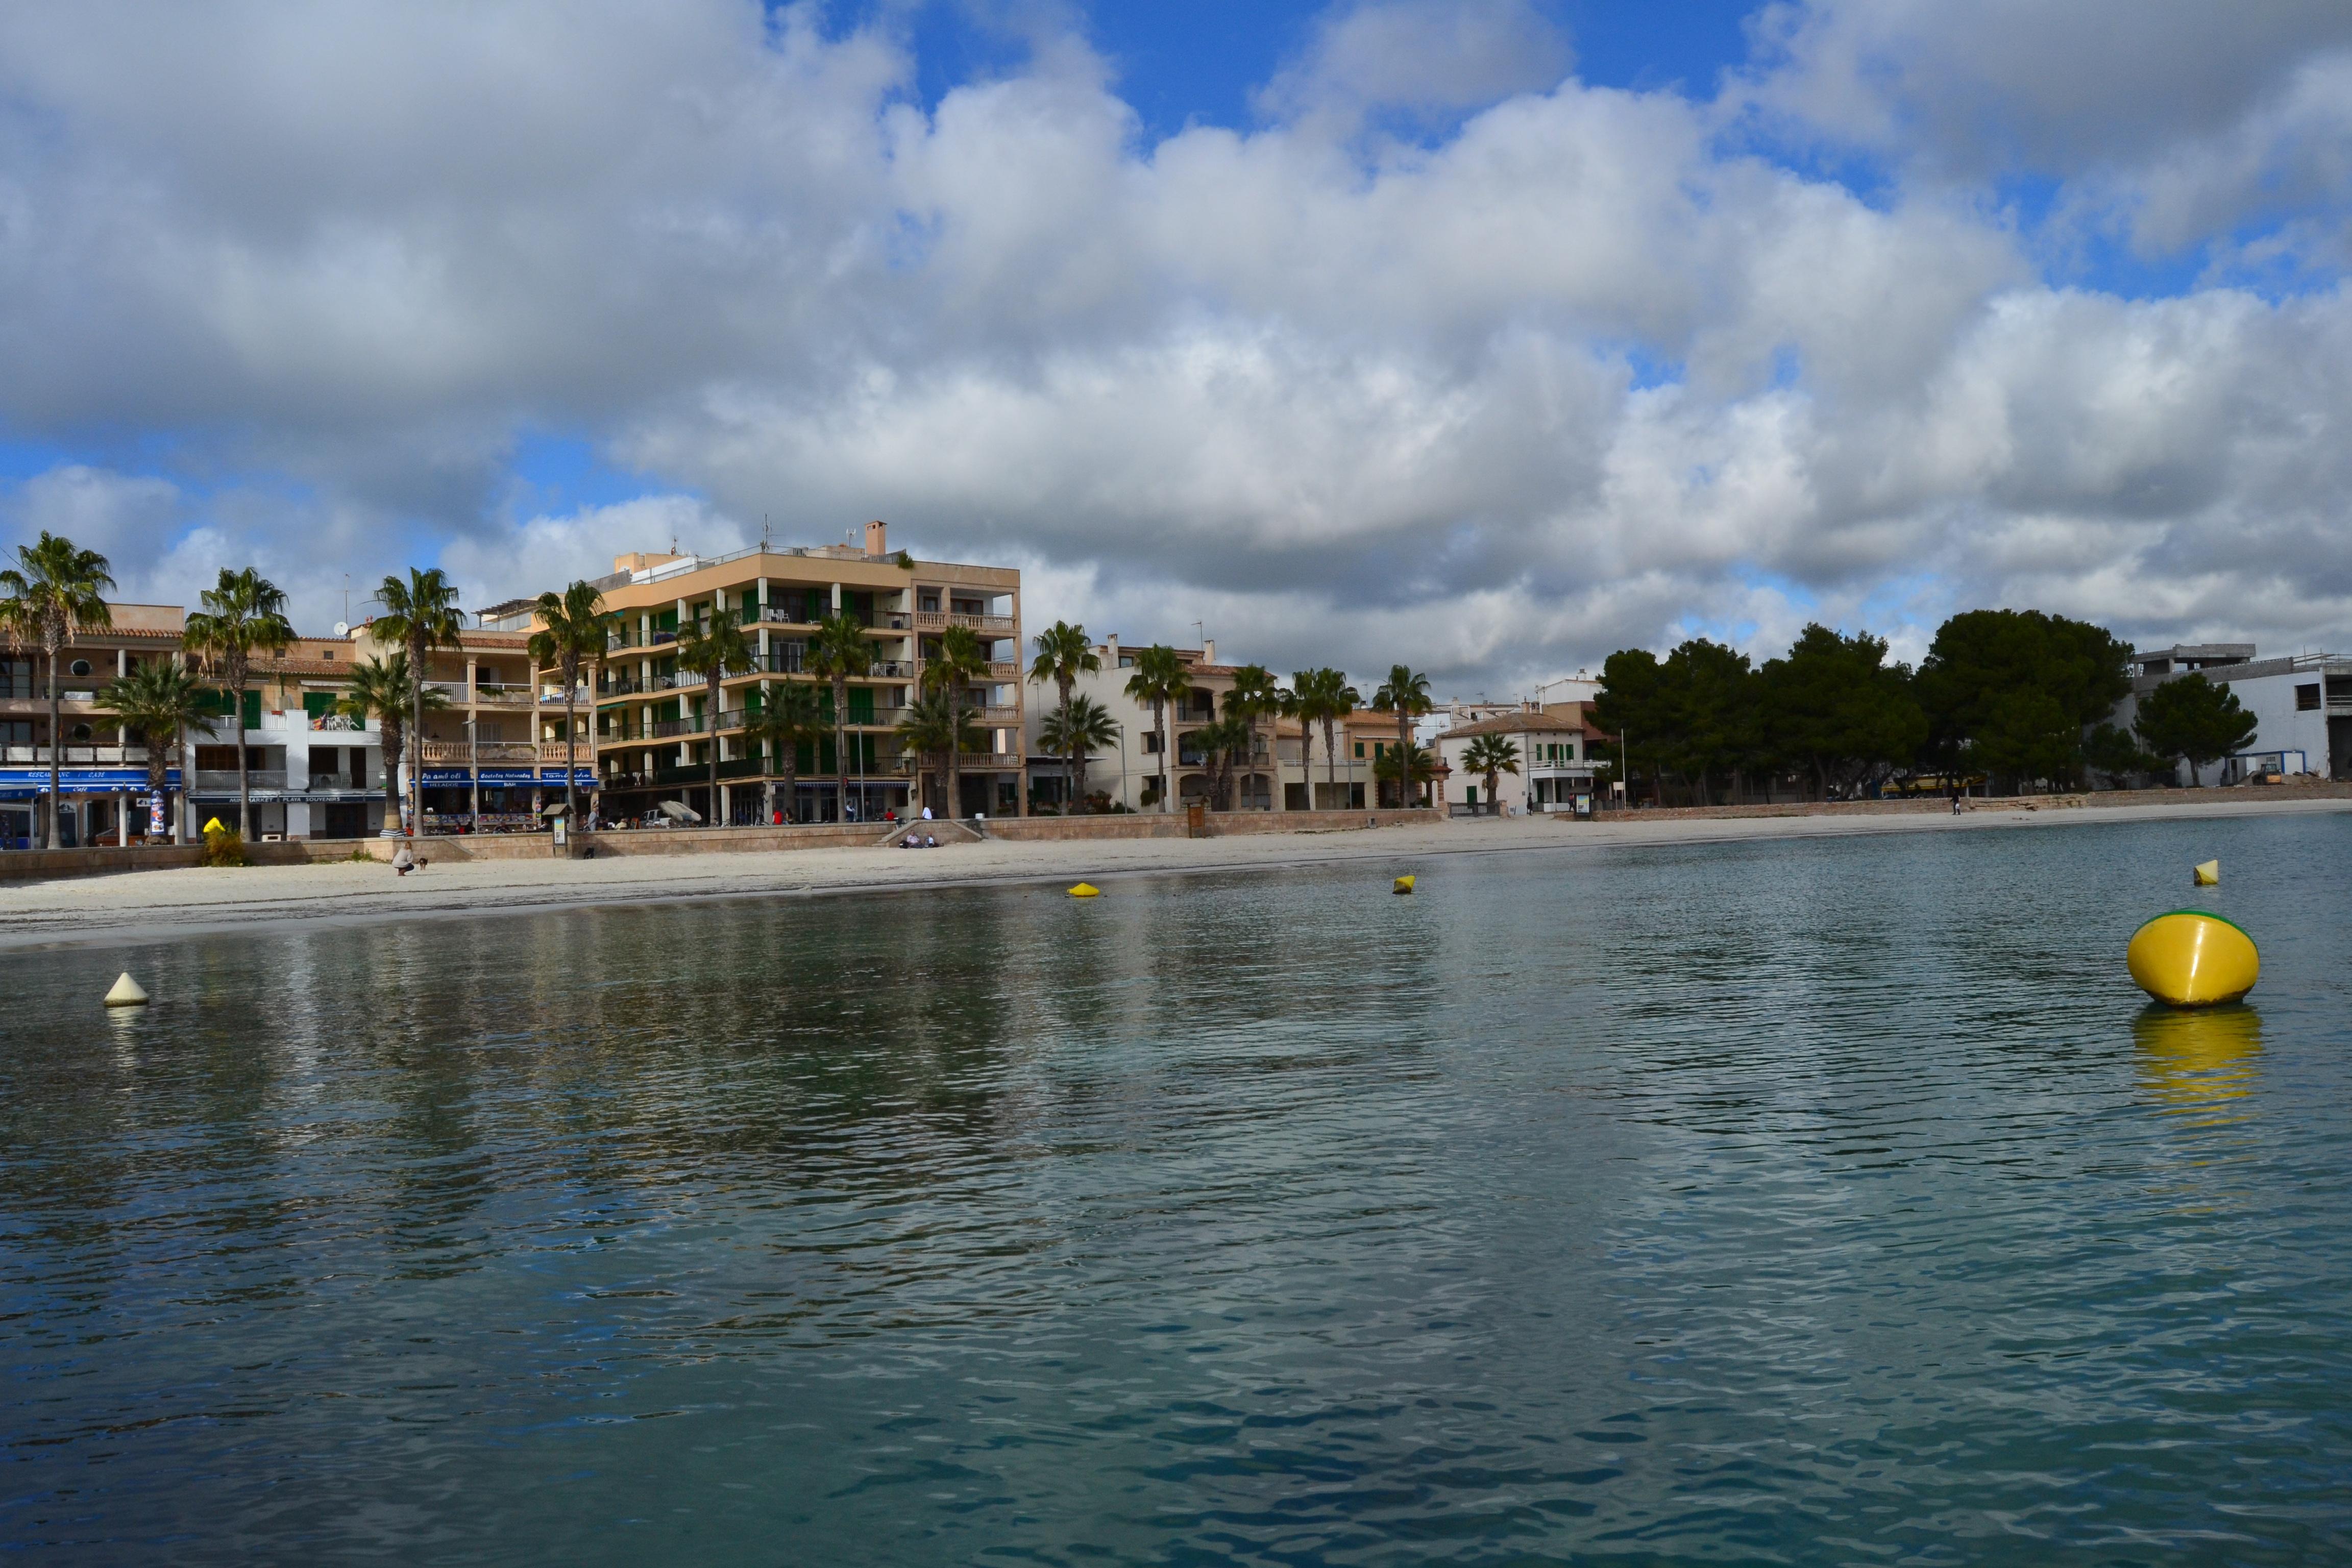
[185, 904]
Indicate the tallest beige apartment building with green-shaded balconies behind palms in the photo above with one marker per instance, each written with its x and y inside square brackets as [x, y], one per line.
[653, 732]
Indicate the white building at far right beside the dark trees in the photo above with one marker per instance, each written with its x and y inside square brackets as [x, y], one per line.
[2301, 706]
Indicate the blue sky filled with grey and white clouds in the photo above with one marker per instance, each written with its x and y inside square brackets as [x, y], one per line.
[1488, 335]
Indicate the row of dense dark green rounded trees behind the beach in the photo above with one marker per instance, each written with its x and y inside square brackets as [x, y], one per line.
[2005, 702]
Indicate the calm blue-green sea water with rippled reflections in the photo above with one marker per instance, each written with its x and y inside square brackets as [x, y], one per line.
[1822, 1202]
